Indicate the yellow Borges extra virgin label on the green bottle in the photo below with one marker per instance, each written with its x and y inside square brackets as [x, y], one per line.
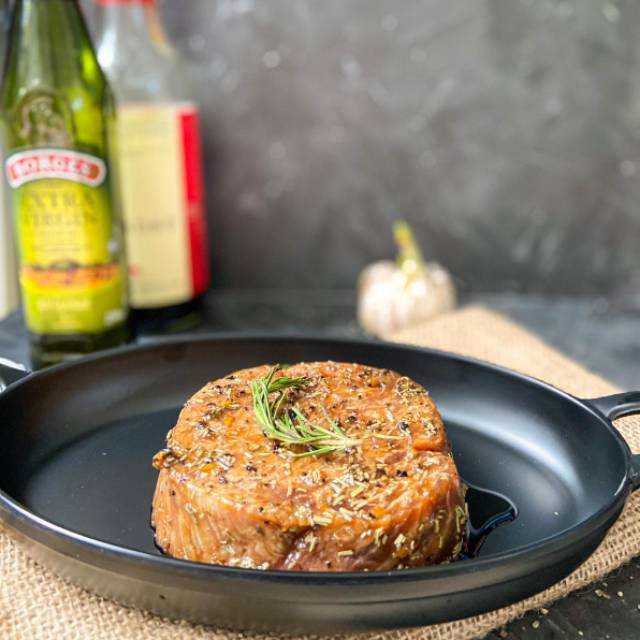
[71, 278]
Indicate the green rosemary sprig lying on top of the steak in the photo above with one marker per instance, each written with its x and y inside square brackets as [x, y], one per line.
[290, 426]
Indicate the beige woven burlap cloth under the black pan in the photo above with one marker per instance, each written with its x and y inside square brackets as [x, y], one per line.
[36, 604]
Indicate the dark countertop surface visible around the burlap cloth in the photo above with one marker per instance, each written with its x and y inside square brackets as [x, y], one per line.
[603, 337]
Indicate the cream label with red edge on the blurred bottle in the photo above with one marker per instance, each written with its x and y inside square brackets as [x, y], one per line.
[162, 200]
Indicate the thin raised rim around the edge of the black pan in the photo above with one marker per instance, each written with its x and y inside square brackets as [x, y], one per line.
[13, 512]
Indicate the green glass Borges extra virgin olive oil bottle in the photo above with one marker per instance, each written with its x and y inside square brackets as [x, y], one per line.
[57, 114]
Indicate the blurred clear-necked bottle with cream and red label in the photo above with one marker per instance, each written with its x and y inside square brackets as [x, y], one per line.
[159, 158]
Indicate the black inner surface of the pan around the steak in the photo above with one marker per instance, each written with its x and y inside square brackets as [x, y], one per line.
[82, 438]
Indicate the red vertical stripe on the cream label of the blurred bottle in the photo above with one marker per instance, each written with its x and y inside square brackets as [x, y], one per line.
[194, 192]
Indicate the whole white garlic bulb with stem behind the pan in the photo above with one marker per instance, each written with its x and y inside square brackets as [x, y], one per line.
[392, 296]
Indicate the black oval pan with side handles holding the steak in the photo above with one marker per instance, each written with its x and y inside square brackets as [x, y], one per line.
[76, 484]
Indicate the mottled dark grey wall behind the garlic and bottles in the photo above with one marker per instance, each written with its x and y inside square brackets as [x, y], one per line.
[506, 131]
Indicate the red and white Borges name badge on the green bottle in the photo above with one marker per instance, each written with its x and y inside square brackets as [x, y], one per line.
[39, 164]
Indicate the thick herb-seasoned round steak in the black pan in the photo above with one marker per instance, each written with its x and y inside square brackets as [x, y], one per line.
[228, 494]
